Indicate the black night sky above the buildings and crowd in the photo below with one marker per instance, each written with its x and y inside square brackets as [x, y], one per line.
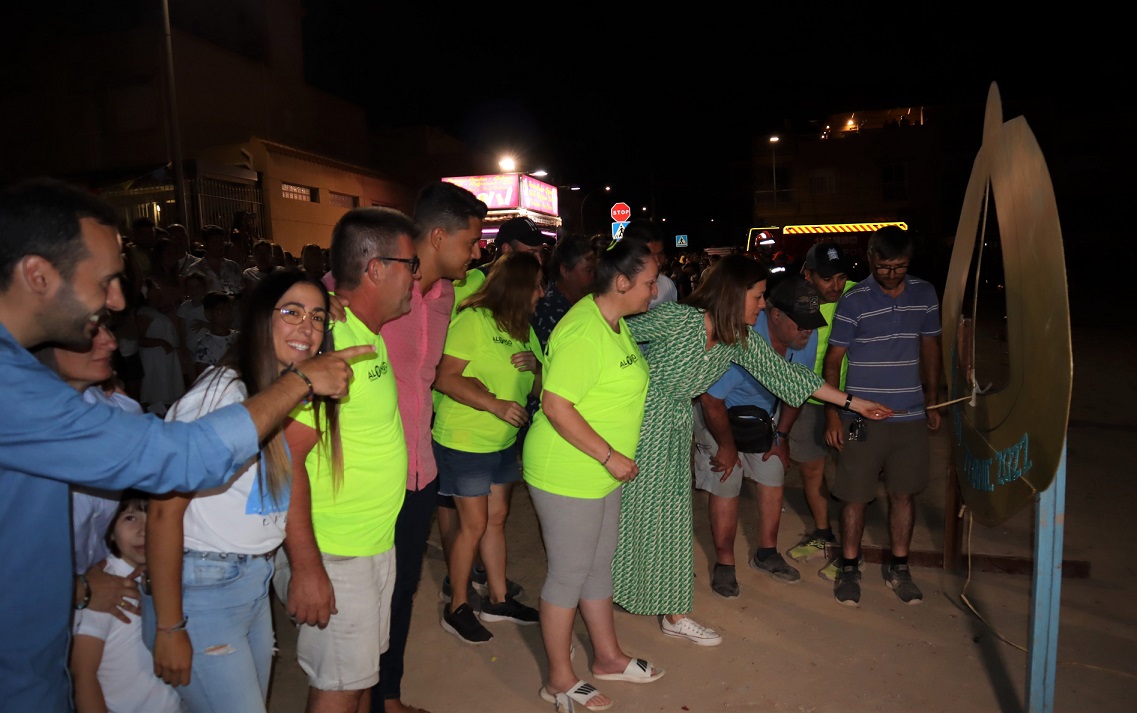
[667, 109]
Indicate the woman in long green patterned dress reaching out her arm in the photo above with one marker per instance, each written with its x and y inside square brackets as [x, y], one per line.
[690, 345]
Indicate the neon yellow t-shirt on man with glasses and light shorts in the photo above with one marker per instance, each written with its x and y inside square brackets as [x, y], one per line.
[359, 521]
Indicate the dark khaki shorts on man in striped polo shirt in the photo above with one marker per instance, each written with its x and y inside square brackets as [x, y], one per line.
[898, 453]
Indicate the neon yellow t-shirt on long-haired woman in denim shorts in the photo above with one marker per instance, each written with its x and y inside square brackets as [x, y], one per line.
[476, 338]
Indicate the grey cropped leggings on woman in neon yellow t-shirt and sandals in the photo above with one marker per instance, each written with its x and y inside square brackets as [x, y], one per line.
[580, 542]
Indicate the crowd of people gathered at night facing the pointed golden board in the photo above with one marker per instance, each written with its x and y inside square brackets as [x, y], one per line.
[319, 418]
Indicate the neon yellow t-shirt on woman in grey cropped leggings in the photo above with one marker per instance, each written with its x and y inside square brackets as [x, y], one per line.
[605, 377]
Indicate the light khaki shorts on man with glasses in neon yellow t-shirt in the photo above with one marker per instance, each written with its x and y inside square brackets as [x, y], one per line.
[345, 656]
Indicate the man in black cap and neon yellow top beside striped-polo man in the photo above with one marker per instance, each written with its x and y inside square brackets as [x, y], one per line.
[826, 269]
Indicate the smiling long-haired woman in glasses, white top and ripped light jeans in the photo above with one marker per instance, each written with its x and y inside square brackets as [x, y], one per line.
[208, 617]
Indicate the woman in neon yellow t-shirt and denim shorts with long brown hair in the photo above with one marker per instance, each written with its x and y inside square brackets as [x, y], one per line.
[491, 366]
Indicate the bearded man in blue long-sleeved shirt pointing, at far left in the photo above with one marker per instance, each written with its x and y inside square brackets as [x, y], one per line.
[61, 269]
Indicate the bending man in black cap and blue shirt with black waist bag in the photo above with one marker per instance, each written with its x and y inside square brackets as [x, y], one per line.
[789, 324]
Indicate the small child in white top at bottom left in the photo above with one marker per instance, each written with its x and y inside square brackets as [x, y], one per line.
[111, 667]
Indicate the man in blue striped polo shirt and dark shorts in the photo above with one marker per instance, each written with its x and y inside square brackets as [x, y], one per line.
[889, 326]
